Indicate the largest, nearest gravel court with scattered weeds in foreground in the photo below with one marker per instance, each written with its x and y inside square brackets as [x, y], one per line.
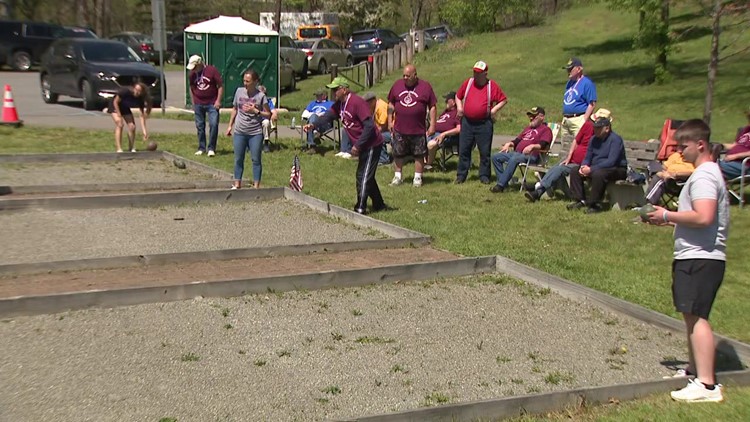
[319, 355]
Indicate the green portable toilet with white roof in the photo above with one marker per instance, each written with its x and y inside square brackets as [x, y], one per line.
[234, 45]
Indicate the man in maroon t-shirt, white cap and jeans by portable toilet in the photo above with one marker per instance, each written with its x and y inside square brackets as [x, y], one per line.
[206, 90]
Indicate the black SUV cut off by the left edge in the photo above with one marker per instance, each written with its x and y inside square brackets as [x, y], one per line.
[22, 43]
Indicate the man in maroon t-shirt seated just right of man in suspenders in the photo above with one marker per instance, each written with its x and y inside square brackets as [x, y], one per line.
[525, 148]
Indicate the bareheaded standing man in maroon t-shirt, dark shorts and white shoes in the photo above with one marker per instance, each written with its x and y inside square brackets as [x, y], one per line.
[410, 100]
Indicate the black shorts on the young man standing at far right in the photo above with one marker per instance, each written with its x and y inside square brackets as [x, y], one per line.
[695, 283]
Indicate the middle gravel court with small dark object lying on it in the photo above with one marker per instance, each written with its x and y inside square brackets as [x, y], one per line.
[45, 235]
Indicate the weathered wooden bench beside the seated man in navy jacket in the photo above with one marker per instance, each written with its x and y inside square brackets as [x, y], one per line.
[623, 194]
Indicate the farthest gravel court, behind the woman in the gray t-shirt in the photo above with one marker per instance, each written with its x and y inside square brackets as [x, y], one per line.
[126, 171]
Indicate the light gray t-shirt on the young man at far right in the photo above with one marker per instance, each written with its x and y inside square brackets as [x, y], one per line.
[710, 242]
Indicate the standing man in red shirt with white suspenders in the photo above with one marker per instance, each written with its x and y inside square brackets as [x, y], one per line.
[477, 102]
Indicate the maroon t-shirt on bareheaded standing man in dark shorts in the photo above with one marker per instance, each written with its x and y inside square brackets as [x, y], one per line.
[411, 106]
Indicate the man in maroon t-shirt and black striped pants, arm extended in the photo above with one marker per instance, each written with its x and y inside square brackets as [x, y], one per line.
[367, 142]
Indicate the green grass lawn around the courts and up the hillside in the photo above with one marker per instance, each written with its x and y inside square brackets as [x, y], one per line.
[607, 251]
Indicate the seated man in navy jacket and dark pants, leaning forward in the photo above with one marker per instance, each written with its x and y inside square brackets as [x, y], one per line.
[605, 162]
